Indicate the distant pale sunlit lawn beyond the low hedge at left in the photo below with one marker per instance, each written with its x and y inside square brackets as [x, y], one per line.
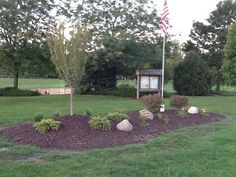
[33, 83]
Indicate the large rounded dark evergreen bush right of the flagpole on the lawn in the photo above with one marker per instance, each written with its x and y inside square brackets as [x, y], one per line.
[192, 76]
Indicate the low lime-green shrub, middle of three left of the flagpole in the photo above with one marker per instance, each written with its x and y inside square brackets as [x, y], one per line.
[101, 123]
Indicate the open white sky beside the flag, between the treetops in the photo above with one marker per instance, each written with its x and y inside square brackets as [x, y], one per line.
[182, 13]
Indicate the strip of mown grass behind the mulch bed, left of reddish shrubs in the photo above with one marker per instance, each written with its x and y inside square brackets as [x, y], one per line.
[19, 109]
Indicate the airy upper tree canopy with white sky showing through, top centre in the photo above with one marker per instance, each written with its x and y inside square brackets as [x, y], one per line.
[119, 19]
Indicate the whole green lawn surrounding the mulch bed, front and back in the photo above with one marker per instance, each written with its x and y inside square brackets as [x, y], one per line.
[199, 151]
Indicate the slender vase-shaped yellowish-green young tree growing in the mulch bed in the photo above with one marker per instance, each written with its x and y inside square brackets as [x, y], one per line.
[69, 56]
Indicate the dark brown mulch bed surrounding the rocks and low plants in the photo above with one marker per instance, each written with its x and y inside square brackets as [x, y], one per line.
[75, 134]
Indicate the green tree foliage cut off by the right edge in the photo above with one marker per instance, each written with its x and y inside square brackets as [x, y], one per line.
[229, 64]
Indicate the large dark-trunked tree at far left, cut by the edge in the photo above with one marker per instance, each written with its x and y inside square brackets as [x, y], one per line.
[21, 22]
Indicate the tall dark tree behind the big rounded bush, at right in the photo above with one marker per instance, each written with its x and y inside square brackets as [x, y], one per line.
[210, 37]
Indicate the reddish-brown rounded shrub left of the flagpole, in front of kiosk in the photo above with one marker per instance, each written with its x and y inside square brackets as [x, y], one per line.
[152, 102]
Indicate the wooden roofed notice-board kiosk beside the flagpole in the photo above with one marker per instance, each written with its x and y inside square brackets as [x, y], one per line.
[148, 81]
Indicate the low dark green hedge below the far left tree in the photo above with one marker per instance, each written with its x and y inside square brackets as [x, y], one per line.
[10, 91]
